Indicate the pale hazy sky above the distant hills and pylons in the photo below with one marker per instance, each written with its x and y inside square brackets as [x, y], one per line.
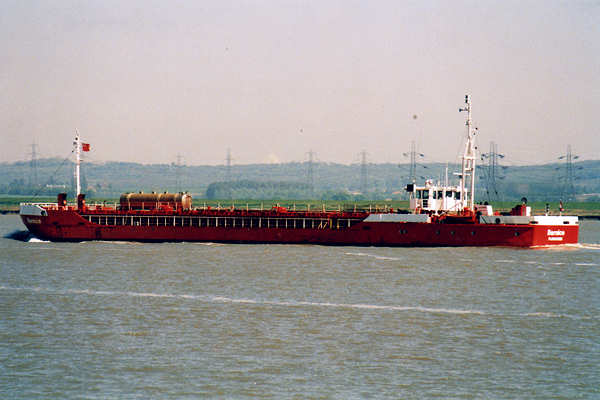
[144, 81]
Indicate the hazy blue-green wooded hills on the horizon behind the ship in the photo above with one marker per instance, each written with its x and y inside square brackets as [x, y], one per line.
[287, 180]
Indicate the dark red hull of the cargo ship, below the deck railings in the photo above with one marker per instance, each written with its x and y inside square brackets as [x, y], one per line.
[69, 225]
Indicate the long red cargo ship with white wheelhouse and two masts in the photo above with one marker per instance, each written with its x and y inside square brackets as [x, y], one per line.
[440, 215]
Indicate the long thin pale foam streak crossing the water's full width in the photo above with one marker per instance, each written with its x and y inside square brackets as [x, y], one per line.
[291, 303]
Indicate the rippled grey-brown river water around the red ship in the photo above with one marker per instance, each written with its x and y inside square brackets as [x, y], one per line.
[188, 320]
